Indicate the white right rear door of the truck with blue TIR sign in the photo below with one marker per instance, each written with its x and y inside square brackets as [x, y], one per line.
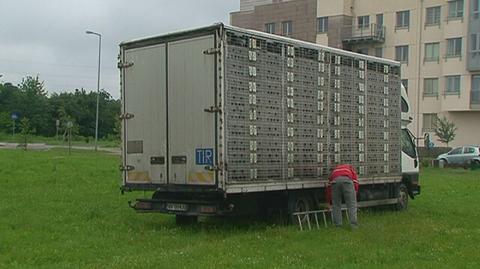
[191, 130]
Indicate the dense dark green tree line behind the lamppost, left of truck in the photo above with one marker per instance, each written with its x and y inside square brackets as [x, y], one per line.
[29, 99]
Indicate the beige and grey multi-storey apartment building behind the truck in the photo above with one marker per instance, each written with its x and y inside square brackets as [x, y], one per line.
[437, 42]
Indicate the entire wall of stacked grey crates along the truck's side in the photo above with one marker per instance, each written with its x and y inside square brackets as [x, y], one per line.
[294, 112]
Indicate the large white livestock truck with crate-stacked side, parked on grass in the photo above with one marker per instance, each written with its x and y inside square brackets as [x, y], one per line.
[222, 120]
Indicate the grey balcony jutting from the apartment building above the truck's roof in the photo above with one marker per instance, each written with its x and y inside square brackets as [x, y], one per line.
[360, 34]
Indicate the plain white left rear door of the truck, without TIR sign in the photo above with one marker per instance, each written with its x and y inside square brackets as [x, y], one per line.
[144, 118]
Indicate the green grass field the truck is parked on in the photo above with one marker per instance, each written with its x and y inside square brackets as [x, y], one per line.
[60, 211]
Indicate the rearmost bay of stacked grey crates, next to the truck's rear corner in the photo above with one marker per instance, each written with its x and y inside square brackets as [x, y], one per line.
[254, 109]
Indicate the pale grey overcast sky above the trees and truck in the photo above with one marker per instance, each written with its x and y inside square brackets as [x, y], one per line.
[47, 38]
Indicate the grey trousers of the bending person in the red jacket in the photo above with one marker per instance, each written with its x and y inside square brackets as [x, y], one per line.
[343, 187]
